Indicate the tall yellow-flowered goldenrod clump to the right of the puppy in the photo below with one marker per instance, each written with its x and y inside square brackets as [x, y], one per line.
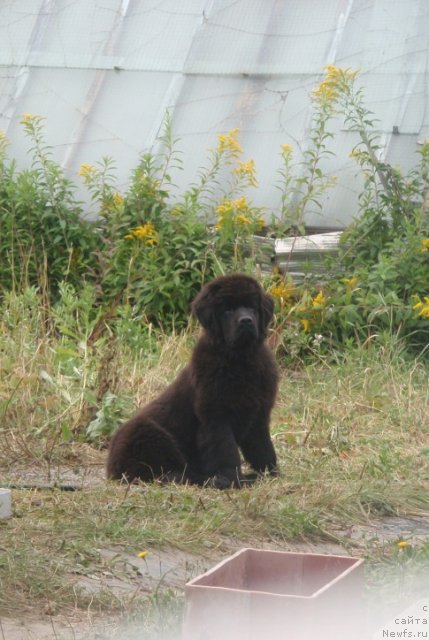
[377, 287]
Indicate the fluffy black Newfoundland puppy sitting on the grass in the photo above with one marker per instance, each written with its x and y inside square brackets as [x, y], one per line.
[219, 404]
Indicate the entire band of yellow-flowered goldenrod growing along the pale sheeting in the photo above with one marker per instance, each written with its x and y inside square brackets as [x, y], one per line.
[150, 249]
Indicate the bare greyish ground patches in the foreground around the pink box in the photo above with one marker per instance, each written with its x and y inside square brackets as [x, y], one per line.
[174, 568]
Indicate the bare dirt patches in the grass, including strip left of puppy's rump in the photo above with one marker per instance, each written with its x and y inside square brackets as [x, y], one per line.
[169, 568]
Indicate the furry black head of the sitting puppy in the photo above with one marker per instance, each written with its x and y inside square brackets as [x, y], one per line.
[234, 310]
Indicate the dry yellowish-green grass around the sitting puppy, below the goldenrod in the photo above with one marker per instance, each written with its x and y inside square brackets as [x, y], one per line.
[351, 437]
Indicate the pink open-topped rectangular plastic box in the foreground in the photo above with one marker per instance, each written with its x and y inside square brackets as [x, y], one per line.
[262, 595]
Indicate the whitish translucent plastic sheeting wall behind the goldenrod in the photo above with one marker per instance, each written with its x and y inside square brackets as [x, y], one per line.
[103, 74]
